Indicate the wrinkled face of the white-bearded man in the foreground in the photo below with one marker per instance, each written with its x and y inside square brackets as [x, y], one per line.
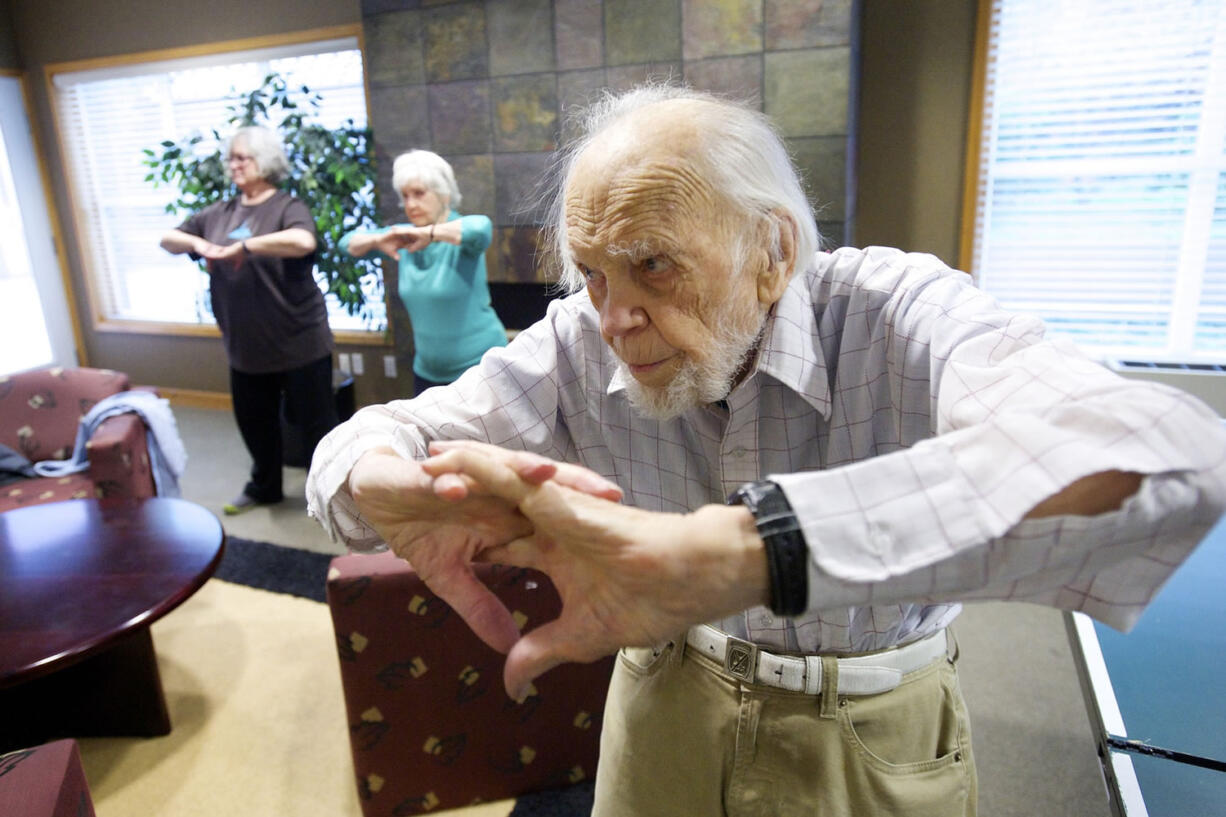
[658, 251]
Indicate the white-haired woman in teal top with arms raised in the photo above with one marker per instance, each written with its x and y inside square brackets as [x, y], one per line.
[442, 261]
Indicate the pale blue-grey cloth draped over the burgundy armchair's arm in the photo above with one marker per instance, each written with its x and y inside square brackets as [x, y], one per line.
[167, 455]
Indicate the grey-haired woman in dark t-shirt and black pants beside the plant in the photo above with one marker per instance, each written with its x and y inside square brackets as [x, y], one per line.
[261, 252]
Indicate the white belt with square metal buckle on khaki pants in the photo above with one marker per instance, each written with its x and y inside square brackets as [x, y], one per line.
[859, 675]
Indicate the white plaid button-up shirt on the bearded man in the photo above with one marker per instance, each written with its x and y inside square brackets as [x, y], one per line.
[912, 423]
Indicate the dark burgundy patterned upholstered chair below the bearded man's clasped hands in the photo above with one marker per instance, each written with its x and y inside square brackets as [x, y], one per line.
[431, 727]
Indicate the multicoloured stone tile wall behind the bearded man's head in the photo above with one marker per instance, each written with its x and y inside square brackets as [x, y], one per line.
[489, 85]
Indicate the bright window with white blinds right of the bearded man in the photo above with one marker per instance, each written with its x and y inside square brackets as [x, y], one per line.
[1102, 193]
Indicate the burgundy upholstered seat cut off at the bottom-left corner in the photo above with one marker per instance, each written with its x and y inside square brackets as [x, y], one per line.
[45, 782]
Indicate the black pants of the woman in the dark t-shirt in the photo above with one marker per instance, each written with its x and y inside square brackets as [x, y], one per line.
[308, 394]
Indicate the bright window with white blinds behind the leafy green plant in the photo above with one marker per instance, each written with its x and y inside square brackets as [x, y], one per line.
[109, 116]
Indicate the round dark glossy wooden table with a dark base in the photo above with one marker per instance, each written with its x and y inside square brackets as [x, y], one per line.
[80, 585]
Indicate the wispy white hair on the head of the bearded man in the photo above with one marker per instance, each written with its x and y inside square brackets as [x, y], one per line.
[742, 156]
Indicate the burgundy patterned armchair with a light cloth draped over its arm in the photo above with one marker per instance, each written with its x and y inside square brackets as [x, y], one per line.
[40, 415]
